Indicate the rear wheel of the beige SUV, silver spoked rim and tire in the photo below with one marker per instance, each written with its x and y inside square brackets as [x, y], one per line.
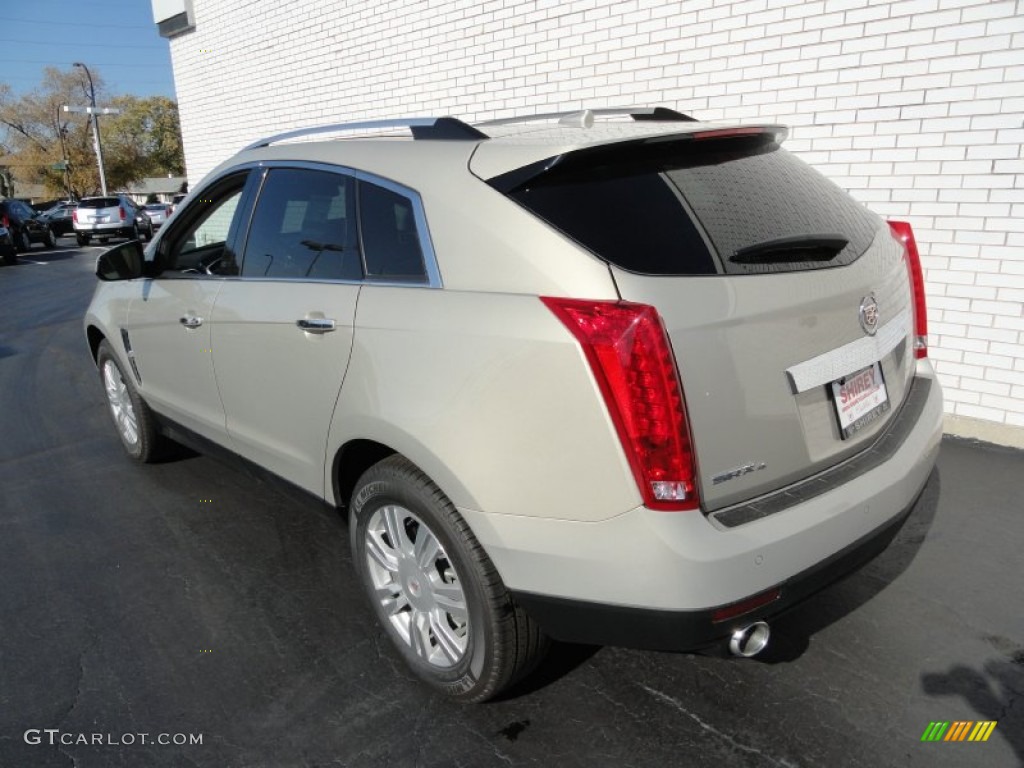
[451, 619]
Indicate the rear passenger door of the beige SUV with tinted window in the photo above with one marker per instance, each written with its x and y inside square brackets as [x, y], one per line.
[283, 331]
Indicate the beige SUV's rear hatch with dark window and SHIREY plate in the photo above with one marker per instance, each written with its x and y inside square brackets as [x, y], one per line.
[788, 305]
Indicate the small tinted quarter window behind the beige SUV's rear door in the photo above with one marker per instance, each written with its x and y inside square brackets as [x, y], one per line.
[391, 240]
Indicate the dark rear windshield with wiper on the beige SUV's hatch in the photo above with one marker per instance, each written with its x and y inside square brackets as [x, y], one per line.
[733, 206]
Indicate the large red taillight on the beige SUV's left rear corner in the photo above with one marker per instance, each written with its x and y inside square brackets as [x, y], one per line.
[629, 355]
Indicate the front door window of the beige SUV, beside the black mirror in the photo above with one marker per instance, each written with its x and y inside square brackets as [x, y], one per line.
[199, 244]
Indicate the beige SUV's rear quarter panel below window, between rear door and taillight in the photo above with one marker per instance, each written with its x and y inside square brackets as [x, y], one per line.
[490, 396]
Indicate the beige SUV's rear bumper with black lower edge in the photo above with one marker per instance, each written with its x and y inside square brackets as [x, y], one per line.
[654, 579]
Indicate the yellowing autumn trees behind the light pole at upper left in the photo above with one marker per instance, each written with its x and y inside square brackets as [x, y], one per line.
[144, 141]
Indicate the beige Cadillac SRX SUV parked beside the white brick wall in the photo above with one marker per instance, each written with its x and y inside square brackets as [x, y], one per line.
[641, 383]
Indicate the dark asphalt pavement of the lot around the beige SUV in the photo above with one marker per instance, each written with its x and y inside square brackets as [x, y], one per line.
[221, 618]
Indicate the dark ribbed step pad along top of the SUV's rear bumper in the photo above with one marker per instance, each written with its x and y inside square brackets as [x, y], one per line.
[877, 454]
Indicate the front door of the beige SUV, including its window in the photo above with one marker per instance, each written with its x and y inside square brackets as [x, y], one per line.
[168, 324]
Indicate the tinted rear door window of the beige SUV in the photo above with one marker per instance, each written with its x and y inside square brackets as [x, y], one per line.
[305, 228]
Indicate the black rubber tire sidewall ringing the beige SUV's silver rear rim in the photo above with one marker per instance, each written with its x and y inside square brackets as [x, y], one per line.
[377, 490]
